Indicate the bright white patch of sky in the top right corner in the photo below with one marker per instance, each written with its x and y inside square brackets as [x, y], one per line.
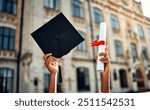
[146, 7]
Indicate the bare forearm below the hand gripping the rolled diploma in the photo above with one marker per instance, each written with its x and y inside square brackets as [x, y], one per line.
[105, 83]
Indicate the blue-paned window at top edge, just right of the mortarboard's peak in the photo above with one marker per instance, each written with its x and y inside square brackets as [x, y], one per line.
[77, 8]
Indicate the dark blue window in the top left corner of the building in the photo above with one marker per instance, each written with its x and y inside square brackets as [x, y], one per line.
[8, 6]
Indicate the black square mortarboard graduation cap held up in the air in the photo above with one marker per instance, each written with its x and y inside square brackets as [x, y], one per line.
[57, 36]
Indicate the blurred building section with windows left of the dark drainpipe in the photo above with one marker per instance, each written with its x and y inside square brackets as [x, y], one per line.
[10, 18]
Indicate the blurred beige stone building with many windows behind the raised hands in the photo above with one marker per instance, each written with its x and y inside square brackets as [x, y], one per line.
[21, 60]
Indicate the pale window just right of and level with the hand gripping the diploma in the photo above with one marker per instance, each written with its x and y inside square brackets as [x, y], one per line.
[118, 48]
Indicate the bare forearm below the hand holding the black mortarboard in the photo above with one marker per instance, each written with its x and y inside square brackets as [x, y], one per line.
[53, 83]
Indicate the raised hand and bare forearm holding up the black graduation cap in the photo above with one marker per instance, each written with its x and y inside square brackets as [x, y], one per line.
[52, 65]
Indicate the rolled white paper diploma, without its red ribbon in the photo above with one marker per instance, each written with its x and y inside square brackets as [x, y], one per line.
[101, 48]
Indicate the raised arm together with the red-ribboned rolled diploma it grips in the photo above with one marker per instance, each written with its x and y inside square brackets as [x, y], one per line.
[102, 58]
